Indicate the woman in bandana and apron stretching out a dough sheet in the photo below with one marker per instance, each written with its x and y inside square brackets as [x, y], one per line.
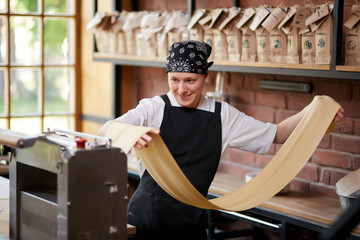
[196, 131]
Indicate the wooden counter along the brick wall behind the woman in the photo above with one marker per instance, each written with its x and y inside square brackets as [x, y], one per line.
[312, 211]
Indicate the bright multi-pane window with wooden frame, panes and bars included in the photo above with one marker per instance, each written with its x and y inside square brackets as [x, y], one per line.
[37, 65]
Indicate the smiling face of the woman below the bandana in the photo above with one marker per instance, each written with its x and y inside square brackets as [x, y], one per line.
[187, 87]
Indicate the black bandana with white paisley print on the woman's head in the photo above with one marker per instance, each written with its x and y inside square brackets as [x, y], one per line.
[189, 56]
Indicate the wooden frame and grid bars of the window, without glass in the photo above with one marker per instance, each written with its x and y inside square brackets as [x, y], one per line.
[75, 114]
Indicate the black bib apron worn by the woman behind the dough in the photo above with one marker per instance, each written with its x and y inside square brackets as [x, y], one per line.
[194, 139]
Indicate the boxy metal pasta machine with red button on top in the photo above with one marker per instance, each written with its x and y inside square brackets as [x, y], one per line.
[66, 185]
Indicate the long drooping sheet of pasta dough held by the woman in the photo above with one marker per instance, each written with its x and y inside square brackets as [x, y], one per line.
[285, 165]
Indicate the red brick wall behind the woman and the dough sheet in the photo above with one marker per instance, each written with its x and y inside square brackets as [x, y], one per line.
[338, 153]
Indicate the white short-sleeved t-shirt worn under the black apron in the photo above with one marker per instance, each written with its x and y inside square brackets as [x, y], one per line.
[238, 130]
